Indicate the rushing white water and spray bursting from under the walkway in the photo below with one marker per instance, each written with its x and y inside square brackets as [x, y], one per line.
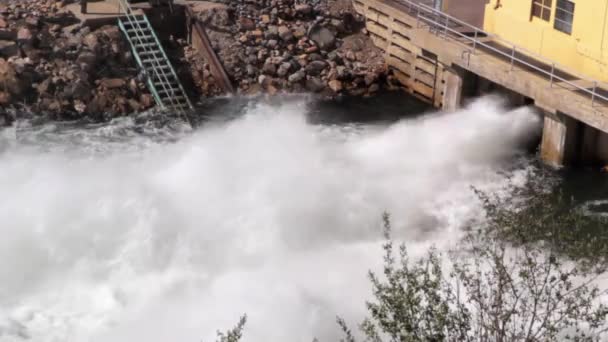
[108, 236]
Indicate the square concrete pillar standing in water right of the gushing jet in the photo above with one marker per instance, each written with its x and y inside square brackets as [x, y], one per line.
[560, 140]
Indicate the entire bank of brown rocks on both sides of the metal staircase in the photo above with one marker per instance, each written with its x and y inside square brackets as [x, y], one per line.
[53, 66]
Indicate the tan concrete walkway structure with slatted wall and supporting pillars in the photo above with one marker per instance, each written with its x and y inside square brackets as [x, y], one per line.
[424, 59]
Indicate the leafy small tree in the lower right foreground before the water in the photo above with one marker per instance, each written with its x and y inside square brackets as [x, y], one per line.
[495, 292]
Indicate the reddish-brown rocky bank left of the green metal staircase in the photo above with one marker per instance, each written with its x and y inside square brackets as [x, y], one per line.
[52, 66]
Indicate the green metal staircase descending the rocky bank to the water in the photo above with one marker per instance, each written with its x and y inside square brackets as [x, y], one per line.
[159, 74]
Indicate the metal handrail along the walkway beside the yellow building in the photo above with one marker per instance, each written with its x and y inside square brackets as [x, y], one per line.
[427, 14]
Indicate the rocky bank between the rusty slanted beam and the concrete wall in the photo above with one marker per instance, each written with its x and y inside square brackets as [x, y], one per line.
[275, 46]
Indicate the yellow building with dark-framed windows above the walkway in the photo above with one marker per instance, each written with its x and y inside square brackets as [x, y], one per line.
[573, 33]
